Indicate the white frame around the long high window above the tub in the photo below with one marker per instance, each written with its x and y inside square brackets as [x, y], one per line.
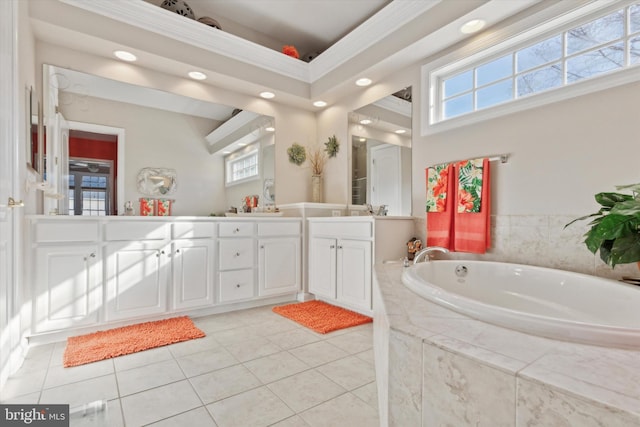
[509, 40]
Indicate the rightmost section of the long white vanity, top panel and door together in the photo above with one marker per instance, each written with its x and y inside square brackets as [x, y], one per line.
[279, 258]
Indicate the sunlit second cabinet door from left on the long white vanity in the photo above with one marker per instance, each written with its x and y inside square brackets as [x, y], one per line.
[136, 279]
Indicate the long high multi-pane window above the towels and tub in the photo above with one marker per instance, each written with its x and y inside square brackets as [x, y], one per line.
[582, 50]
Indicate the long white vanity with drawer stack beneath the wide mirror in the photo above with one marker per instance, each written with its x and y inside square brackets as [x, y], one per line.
[92, 271]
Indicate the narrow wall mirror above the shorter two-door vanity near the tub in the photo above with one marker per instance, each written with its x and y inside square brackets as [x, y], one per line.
[380, 136]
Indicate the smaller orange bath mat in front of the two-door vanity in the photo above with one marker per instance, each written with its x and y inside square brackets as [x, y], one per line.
[320, 316]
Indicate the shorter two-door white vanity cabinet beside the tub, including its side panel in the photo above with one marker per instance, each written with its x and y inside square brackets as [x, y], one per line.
[342, 251]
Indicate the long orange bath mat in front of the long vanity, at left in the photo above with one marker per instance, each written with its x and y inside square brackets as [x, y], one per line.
[128, 339]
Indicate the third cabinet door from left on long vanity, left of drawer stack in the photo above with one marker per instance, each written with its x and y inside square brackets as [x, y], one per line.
[192, 262]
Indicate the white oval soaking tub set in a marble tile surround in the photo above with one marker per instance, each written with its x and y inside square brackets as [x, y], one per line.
[541, 301]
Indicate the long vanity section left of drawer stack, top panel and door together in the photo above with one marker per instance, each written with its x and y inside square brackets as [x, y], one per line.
[192, 264]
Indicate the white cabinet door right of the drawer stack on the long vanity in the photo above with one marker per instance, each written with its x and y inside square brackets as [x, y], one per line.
[278, 266]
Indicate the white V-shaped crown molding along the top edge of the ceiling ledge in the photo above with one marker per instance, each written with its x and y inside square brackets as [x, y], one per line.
[146, 16]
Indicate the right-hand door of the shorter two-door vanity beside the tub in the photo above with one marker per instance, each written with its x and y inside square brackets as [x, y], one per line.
[354, 273]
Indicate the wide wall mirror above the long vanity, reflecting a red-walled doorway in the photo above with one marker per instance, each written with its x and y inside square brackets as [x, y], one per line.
[101, 133]
